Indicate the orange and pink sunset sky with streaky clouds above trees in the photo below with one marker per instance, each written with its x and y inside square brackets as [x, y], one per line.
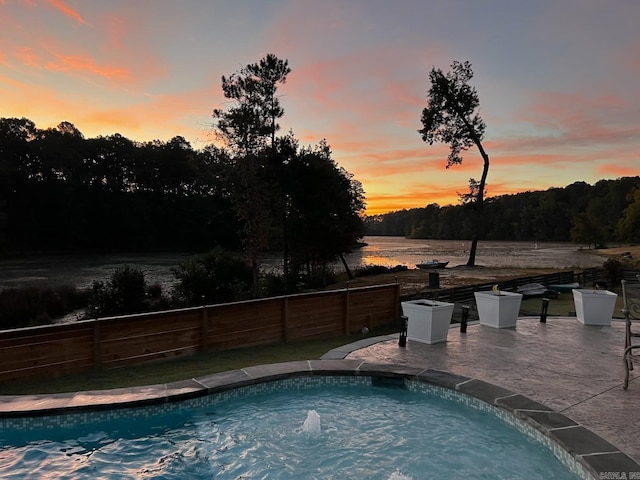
[558, 81]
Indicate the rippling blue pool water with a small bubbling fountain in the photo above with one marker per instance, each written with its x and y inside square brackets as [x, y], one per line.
[324, 432]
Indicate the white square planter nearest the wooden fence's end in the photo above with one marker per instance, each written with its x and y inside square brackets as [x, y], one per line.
[429, 320]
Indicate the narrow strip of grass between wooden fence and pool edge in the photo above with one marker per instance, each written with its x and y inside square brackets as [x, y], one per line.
[197, 365]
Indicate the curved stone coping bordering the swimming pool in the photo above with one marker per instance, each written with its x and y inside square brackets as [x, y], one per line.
[595, 454]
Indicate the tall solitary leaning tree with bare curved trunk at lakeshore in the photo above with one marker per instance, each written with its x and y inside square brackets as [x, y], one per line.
[452, 117]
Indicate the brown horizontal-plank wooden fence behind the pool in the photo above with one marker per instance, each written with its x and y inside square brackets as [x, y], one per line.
[122, 341]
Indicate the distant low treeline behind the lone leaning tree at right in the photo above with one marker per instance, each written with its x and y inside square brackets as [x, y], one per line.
[589, 214]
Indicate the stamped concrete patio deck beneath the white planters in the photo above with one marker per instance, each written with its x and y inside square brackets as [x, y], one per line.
[574, 369]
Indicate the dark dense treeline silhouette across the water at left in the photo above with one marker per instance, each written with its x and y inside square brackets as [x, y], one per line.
[62, 192]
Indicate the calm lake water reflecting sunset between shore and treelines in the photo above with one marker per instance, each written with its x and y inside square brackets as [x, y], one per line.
[82, 270]
